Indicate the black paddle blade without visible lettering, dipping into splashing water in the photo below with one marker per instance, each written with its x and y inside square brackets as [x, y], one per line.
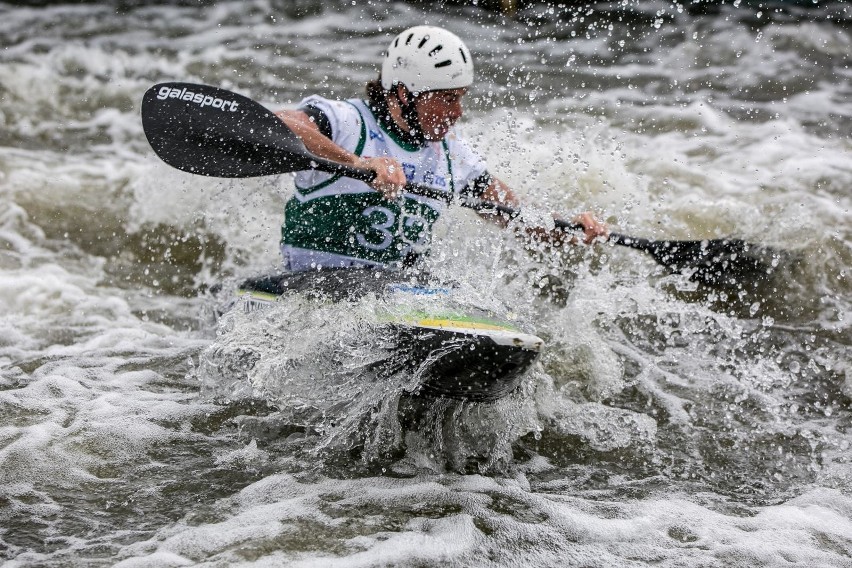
[717, 262]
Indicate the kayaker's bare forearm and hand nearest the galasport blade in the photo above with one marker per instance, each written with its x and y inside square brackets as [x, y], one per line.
[390, 178]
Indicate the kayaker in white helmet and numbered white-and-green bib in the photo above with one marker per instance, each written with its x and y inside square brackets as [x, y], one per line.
[403, 132]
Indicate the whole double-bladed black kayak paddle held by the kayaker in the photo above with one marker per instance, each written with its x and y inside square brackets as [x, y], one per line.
[214, 132]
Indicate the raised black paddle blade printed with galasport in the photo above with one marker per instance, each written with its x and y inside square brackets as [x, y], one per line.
[213, 132]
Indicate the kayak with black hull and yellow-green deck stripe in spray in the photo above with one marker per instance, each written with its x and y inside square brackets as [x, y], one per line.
[463, 354]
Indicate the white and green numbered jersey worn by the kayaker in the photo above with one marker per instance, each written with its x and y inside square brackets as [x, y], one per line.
[334, 220]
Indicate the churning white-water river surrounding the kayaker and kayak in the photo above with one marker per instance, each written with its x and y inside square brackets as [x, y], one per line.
[665, 422]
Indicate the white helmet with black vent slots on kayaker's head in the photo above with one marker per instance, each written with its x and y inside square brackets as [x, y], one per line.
[427, 58]
